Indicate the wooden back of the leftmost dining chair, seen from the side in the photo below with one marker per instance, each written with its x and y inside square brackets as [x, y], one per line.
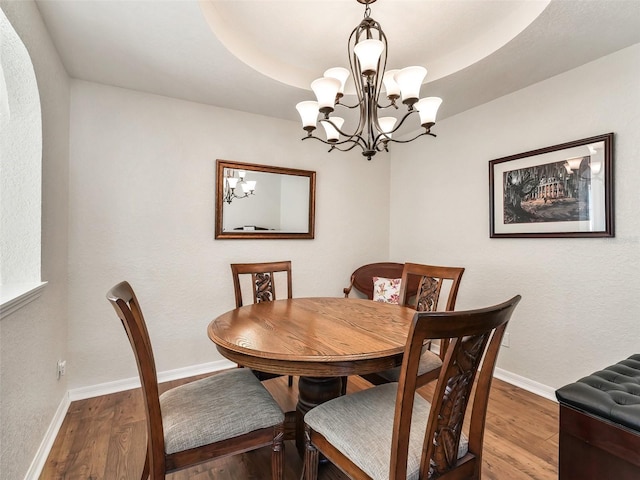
[126, 305]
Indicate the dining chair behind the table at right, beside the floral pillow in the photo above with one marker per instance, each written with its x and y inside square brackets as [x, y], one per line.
[432, 283]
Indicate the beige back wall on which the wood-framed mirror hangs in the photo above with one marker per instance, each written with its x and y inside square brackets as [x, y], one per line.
[141, 197]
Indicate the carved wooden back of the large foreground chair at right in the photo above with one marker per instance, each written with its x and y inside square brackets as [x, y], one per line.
[475, 339]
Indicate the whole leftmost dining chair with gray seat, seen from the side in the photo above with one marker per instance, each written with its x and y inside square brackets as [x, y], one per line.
[224, 414]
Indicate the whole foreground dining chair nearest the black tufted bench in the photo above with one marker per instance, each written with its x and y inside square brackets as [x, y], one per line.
[391, 432]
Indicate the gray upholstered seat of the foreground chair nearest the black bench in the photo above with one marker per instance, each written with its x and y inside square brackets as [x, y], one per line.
[360, 426]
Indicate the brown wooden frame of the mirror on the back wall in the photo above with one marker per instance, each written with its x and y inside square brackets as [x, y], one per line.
[221, 165]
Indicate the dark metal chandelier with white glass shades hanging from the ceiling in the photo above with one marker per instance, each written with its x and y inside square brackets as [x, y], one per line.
[367, 48]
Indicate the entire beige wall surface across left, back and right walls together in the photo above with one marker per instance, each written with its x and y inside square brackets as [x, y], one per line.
[137, 185]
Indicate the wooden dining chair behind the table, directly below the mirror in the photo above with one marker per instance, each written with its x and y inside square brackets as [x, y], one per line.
[263, 287]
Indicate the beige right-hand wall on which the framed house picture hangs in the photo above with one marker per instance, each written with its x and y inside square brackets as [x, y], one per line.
[580, 306]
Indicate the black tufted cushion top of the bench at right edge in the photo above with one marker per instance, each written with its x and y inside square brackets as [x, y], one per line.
[612, 394]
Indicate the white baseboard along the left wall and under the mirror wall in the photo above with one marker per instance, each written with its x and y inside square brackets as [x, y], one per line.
[38, 463]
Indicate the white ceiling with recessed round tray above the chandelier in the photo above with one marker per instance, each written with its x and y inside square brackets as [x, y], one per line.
[475, 50]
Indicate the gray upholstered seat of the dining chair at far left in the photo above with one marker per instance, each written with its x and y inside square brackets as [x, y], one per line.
[216, 408]
